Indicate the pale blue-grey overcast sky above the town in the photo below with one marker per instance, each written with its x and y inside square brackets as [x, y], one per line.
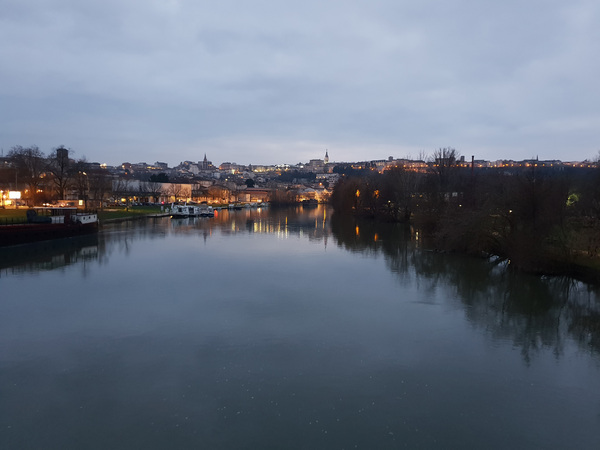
[273, 81]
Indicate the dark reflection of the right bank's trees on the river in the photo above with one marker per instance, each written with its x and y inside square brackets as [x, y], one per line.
[533, 312]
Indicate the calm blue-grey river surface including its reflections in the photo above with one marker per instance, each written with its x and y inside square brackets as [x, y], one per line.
[288, 329]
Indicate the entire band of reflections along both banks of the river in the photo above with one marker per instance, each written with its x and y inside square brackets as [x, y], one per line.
[534, 313]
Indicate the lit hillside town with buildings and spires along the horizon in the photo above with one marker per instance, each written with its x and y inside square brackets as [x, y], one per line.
[28, 177]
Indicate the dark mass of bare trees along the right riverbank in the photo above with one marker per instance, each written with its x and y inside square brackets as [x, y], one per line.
[538, 219]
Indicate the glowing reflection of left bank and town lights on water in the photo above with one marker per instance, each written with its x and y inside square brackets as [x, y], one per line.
[120, 237]
